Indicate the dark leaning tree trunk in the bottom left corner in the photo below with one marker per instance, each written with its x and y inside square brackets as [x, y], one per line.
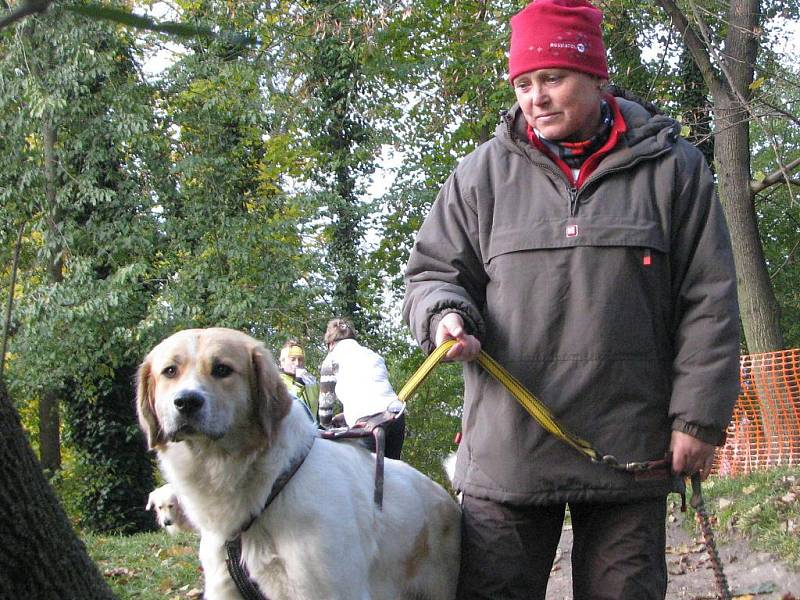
[40, 555]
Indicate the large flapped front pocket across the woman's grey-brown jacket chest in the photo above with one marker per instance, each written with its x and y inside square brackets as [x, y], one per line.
[573, 281]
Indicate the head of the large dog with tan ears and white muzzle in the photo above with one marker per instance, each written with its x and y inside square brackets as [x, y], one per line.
[208, 384]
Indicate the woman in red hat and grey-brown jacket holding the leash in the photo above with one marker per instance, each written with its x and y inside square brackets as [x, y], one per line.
[584, 248]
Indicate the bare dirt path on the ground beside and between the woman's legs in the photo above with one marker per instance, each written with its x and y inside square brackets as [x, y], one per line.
[749, 573]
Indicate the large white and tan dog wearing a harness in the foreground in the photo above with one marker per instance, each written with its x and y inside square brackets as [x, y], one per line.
[212, 405]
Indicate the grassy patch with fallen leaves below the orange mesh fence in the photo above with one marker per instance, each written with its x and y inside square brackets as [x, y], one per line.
[763, 507]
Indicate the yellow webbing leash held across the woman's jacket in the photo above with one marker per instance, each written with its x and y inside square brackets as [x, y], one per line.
[529, 402]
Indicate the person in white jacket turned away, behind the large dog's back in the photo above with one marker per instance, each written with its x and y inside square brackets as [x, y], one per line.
[357, 377]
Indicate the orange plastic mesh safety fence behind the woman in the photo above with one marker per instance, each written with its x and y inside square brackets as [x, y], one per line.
[764, 430]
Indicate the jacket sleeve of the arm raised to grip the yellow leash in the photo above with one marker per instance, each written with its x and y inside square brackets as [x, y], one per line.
[445, 272]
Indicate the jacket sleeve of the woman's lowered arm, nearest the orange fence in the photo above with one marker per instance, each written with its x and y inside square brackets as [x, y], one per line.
[705, 368]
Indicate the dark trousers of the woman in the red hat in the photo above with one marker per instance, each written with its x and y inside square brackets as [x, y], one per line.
[618, 550]
